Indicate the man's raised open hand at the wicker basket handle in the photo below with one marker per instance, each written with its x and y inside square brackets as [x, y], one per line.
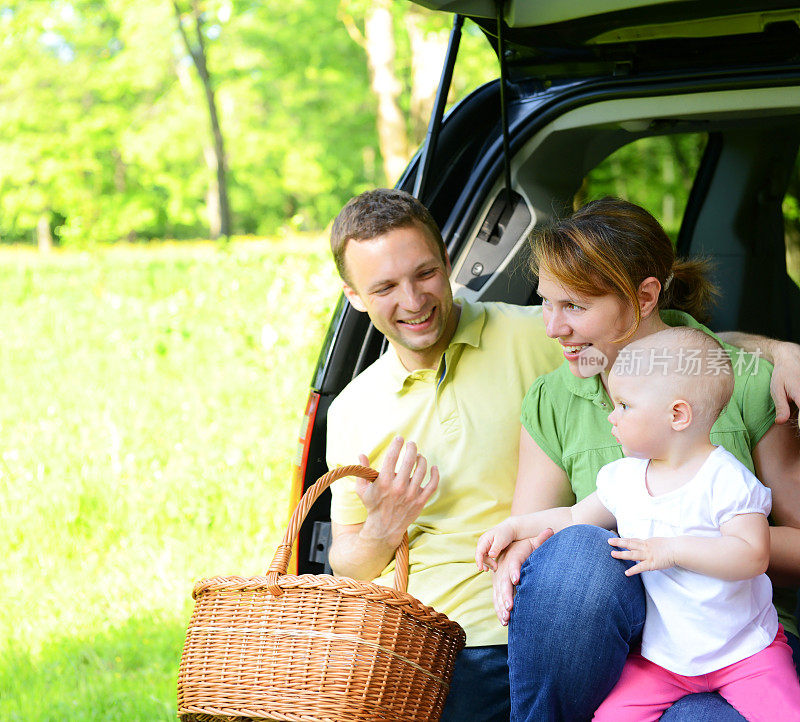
[397, 496]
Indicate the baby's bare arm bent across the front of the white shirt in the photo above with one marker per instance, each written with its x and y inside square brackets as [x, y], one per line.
[742, 552]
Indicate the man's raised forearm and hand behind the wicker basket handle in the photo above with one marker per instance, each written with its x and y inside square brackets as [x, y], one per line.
[393, 501]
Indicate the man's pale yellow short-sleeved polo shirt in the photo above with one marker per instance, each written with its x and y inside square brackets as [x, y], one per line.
[464, 417]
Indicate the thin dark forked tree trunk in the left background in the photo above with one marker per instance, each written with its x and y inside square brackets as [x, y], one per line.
[219, 212]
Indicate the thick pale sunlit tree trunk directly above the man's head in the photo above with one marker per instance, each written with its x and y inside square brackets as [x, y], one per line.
[380, 48]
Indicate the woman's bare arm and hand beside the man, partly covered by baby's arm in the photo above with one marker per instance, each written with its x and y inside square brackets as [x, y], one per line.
[541, 484]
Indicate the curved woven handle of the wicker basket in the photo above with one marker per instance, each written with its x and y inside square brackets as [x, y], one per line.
[284, 551]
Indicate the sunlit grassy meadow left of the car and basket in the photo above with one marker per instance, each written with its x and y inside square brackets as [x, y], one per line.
[150, 399]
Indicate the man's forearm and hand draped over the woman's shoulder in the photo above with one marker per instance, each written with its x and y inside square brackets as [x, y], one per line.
[785, 357]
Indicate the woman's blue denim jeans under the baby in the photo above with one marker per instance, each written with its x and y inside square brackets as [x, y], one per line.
[575, 616]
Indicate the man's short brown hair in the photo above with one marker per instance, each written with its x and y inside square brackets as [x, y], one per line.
[374, 213]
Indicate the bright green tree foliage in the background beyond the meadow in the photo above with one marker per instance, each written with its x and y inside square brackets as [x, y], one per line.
[105, 135]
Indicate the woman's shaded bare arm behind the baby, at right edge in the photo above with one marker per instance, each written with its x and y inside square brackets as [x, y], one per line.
[777, 464]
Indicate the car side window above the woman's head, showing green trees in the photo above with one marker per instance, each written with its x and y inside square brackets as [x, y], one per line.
[656, 173]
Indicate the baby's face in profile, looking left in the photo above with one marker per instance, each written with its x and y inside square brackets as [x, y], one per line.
[641, 418]
